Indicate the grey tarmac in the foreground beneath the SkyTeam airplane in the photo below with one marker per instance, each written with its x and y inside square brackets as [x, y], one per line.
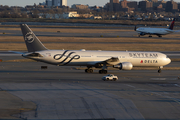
[61, 93]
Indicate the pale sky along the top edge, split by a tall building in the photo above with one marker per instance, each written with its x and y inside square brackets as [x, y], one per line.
[70, 2]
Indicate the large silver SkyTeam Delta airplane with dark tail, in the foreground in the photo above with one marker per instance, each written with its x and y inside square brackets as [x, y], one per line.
[121, 60]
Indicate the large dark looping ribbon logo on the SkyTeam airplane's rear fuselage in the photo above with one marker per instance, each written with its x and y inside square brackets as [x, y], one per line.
[66, 57]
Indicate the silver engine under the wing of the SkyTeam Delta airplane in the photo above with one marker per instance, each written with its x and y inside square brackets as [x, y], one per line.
[124, 66]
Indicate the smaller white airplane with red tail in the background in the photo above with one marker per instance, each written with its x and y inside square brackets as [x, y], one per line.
[155, 31]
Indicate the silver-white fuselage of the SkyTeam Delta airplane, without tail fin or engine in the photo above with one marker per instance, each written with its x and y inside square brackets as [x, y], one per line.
[91, 58]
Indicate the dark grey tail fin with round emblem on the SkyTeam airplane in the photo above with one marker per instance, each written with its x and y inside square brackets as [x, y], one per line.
[32, 42]
